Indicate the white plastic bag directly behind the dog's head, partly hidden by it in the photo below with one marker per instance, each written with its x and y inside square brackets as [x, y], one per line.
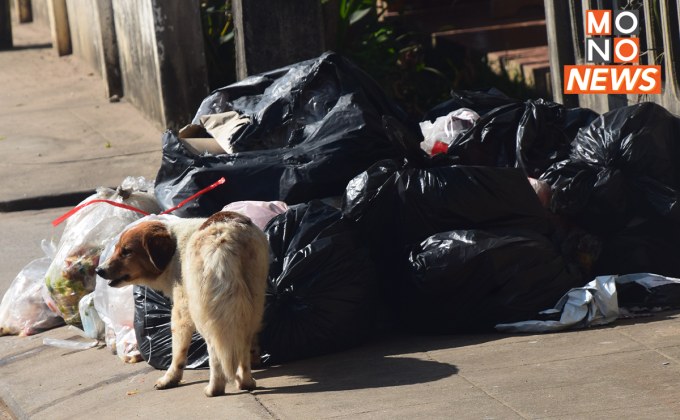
[116, 306]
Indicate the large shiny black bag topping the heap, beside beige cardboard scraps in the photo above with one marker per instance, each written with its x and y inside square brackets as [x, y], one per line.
[313, 126]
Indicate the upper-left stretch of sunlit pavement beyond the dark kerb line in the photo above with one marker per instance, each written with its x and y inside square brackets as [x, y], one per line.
[59, 135]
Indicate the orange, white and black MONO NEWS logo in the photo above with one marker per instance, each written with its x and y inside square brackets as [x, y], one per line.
[612, 51]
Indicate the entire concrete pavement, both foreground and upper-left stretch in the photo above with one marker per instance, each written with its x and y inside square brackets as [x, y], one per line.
[59, 135]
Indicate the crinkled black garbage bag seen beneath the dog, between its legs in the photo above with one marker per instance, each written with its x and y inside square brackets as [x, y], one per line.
[154, 337]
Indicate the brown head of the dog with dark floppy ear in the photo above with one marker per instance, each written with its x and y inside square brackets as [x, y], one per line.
[141, 255]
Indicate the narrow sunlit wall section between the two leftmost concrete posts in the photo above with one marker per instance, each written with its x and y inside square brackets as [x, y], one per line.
[86, 39]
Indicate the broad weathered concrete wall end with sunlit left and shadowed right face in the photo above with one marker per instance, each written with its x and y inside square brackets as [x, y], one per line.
[162, 58]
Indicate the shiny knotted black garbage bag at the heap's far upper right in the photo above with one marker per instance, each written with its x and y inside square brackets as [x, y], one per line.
[622, 166]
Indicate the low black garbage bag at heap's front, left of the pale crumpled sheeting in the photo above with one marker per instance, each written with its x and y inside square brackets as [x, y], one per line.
[471, 280]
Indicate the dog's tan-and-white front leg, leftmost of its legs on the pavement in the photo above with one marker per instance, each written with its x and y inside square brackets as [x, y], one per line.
[182, 330]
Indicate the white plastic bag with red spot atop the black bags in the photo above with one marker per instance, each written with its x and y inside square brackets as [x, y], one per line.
[438, 135]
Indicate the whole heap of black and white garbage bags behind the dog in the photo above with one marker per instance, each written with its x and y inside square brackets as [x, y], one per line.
[490, 213]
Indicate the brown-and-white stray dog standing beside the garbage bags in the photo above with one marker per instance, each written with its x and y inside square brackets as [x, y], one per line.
[215, 270]
